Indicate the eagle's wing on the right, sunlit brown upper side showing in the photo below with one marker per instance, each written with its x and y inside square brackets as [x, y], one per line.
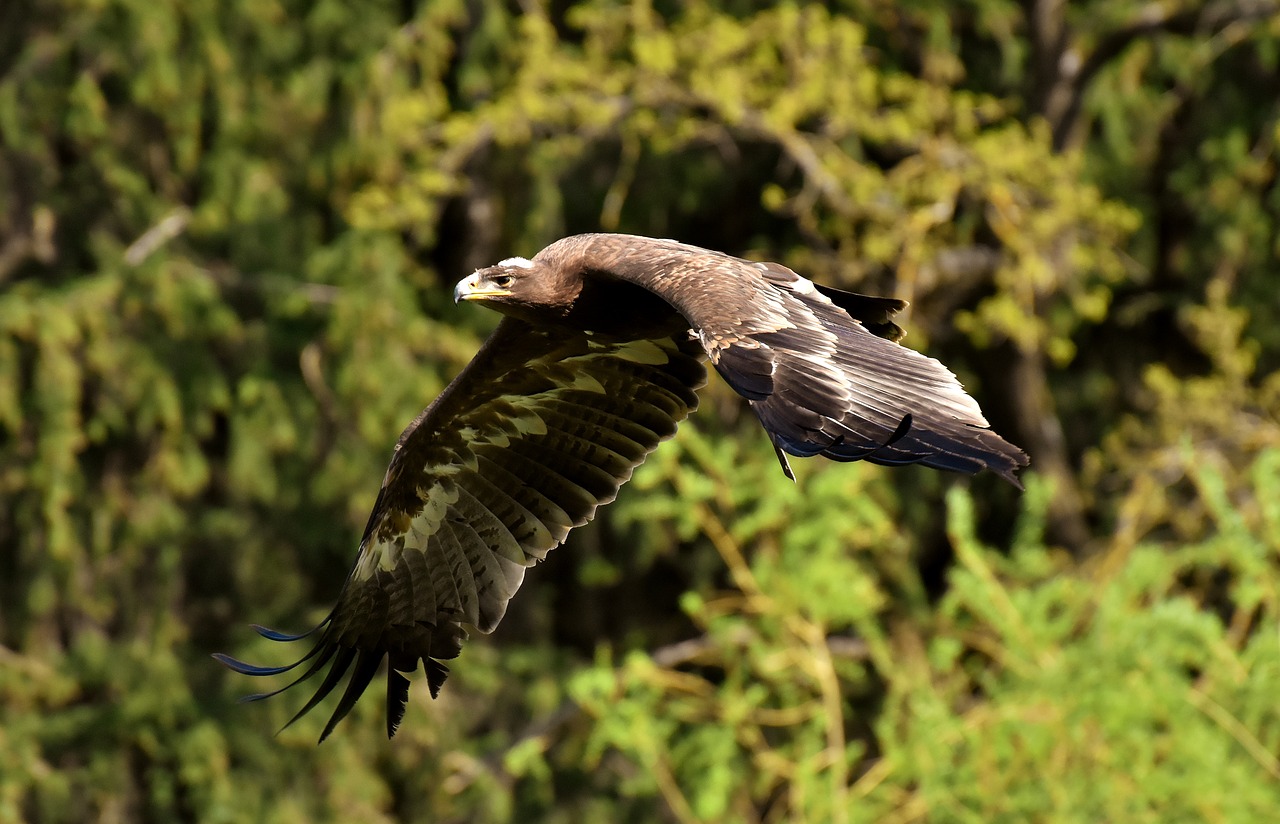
[820, 381]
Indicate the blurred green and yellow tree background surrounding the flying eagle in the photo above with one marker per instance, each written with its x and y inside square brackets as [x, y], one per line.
[228, 237]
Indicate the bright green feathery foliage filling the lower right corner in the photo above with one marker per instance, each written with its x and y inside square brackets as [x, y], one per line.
[1035, 689]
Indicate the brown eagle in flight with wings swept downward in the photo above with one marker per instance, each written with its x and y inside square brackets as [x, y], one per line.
[597, 360]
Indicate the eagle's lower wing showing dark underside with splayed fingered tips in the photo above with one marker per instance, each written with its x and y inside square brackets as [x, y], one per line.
[541, 429]
